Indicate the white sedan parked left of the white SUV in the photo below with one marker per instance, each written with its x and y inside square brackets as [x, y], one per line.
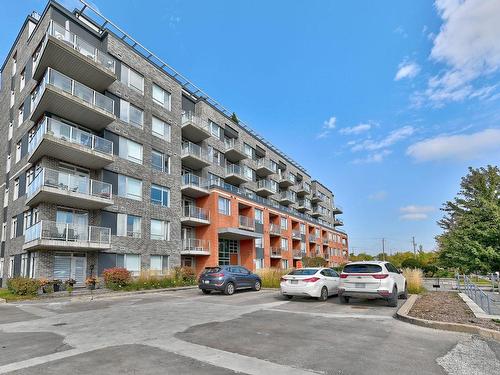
[312, 282]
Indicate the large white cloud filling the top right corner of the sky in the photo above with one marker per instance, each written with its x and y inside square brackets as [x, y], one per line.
[467, 44]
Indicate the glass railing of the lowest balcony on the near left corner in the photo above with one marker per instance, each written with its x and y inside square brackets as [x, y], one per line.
[50, 230]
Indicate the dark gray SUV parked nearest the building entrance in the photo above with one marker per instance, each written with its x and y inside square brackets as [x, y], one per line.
[227, 279]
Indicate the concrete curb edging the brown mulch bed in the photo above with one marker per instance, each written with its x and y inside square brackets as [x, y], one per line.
[402, 314]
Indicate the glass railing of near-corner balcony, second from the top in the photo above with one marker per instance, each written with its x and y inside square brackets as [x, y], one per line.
[72, 87]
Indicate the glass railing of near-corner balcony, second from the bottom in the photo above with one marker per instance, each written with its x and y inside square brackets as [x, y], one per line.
[68, 182]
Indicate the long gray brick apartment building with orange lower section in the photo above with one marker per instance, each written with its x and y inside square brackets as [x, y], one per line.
[108, 158]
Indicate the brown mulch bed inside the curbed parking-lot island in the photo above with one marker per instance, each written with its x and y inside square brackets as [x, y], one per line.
[448, 307]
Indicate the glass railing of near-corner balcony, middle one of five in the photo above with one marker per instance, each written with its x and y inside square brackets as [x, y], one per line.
[70, 134]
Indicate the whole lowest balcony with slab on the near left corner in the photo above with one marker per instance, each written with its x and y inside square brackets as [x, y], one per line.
[51, 235]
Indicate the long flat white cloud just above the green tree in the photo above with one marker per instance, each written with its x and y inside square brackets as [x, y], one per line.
[456, 147]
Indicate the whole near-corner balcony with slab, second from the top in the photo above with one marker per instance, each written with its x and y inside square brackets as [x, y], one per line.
[71, 100]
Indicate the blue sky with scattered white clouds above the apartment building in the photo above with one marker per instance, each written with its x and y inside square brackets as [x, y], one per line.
[387, 103]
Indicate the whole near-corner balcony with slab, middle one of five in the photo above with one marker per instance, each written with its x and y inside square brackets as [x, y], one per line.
[64, 142]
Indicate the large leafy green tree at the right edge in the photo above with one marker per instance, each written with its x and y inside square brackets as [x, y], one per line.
[471, 224]
